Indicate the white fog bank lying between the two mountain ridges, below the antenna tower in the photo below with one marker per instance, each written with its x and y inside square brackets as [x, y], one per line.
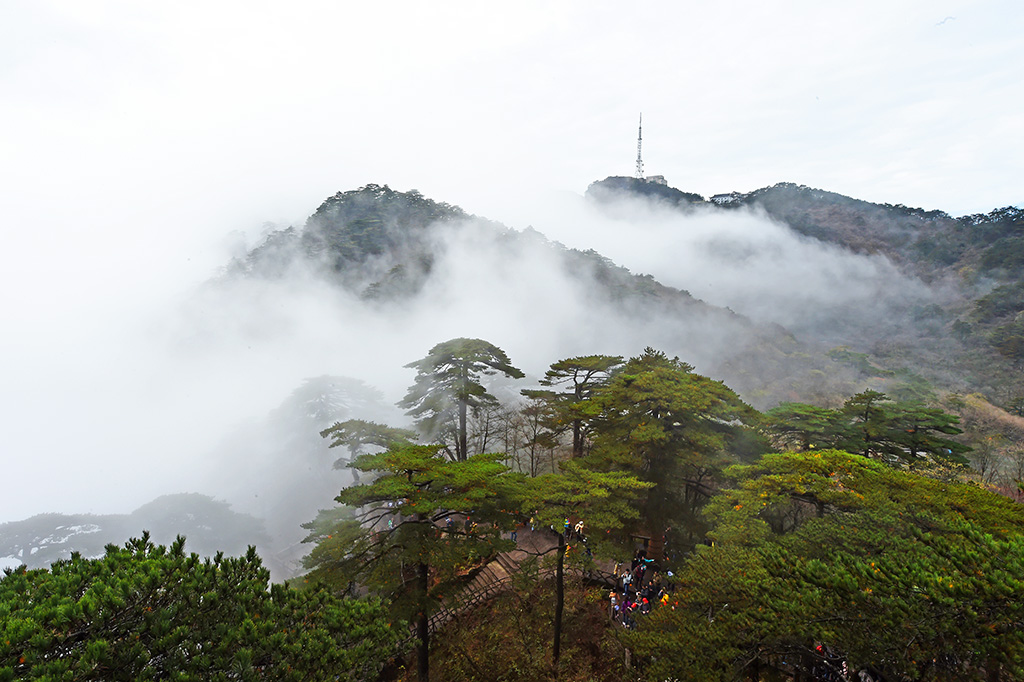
[740, 260]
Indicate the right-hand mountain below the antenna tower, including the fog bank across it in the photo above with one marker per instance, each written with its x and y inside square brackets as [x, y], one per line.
[919, 291]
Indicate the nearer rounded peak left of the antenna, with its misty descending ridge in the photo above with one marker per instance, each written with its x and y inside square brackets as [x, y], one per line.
[400, 251]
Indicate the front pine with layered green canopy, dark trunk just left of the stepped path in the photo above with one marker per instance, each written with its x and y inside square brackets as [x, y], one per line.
[402, 542]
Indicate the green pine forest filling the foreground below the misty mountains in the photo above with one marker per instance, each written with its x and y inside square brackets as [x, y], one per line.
[803, 543]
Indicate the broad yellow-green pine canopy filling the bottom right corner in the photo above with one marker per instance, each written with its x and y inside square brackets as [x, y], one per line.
[827, 562]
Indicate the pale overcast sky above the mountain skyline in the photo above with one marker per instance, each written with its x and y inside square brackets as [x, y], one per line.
[144, 142]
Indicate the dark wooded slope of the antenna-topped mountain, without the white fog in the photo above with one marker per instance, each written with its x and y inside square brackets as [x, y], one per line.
[963, 325]
